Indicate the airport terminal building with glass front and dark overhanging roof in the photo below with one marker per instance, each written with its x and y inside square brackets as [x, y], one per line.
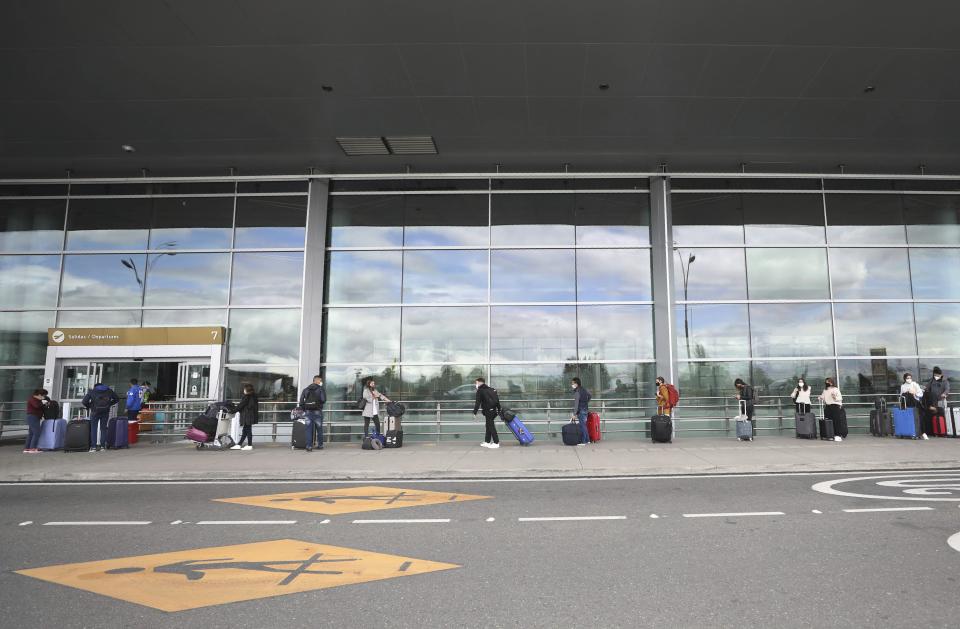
[519, 194]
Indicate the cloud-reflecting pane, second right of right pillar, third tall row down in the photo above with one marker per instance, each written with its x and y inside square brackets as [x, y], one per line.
[791, 330]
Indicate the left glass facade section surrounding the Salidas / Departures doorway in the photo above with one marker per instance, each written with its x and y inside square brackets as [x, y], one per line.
[154, 254]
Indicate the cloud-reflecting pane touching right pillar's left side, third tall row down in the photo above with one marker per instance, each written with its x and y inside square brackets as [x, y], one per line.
[615, 332]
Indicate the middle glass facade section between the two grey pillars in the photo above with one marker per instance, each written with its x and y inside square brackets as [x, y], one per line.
[530, 288]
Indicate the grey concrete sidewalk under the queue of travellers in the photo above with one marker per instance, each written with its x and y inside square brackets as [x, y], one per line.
[181, 461]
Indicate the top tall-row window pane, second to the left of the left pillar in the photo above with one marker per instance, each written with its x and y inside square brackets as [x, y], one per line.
[192, 223]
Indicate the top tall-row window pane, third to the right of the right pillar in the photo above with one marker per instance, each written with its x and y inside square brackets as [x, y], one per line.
[865, 219]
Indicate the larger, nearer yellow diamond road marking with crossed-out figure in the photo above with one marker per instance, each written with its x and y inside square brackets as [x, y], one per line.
[203, 577]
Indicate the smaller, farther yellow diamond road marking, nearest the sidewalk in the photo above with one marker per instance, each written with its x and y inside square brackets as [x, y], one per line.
[351, 499]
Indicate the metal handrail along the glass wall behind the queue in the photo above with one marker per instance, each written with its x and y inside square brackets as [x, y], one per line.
[163, 421]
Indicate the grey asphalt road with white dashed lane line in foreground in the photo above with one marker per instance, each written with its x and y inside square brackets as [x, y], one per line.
[821, 563]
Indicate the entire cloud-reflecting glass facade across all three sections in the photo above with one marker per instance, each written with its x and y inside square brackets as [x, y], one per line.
[526, 282]
